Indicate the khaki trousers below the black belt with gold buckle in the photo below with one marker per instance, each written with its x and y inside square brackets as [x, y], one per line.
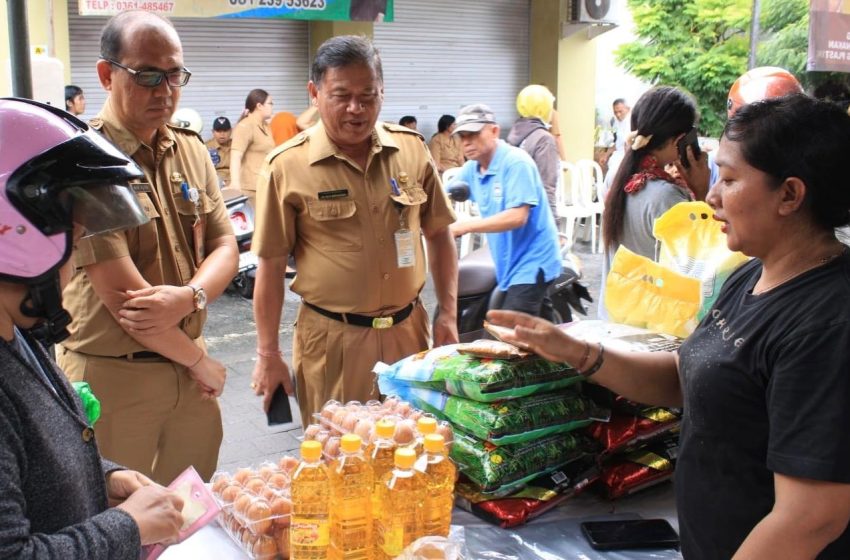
[334, 360]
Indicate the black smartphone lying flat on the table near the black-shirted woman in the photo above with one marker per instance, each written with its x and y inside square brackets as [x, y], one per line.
[630, 533]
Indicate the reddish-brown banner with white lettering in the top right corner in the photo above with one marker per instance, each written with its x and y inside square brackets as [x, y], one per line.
[829, 36]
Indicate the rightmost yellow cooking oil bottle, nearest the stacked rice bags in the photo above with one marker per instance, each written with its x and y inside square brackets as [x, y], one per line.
[440, 474]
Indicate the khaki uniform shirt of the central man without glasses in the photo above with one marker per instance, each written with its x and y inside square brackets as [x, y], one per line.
[340, 221]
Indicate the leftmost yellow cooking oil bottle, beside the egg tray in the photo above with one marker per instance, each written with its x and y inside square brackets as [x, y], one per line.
[309, 535]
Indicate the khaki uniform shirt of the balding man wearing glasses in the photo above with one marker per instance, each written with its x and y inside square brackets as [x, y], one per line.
[163, 249]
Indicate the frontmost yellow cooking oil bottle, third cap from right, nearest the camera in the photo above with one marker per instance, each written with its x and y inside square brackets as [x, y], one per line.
[401, 499]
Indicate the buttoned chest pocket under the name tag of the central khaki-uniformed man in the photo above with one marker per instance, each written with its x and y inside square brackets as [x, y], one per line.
[336, 226]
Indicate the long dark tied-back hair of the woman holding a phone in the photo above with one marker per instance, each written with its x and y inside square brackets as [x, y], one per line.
[663, 112]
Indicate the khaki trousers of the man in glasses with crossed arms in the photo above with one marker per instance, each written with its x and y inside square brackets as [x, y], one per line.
[153, 419]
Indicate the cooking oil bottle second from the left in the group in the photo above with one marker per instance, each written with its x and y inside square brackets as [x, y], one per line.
[351, 502]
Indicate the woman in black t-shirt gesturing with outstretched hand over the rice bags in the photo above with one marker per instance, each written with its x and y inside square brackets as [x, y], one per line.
[764, 458]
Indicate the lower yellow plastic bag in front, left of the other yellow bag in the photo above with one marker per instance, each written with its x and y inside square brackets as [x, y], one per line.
[643, 293]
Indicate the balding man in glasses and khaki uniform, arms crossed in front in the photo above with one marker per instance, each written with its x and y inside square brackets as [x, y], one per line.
[138, 299]
